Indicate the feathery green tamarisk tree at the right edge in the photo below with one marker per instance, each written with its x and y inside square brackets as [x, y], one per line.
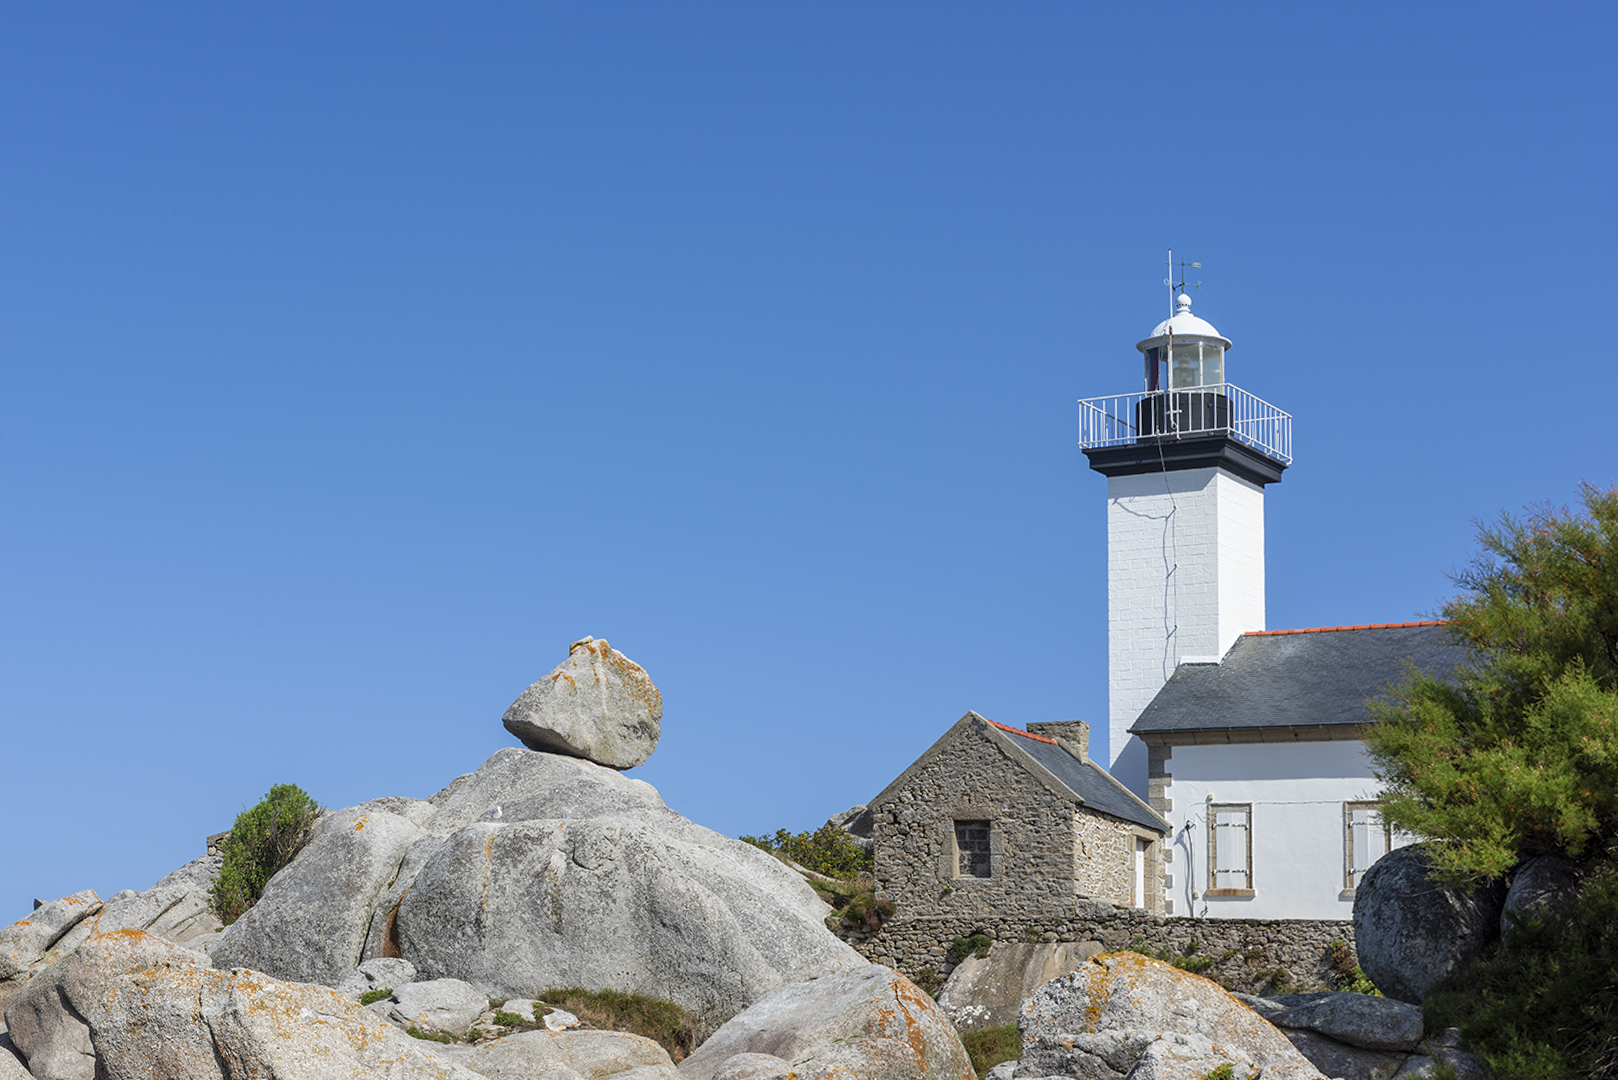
[1517, 754]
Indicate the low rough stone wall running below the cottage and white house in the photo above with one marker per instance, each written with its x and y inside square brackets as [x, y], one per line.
[1243, 955]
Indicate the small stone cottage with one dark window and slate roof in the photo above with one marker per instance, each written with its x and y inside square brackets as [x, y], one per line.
[1001, 823]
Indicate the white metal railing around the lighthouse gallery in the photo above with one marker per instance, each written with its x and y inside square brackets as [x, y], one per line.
[1187, 414]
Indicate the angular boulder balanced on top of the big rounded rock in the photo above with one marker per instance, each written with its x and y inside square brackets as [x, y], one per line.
[596, 705]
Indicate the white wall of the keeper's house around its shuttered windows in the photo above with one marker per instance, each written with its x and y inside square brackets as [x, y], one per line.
[1297, 794]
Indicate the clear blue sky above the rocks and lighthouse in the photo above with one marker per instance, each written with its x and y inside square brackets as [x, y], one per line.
[357, 359]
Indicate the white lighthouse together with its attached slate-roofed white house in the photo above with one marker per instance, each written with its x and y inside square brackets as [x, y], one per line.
[1243, 739]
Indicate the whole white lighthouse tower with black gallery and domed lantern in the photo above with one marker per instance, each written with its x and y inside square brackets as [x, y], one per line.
[1187, 461]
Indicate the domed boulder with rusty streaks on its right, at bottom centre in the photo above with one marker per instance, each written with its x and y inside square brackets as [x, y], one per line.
[873, 1024]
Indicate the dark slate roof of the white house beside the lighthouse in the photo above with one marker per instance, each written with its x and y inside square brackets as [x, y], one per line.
[1277, 679]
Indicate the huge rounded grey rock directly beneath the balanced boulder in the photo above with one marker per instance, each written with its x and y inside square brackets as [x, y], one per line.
[587, 878]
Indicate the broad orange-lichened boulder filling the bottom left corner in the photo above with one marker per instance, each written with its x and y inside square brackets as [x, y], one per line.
[153, 1010]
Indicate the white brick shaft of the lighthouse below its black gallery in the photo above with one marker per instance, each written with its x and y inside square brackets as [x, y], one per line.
[1185, 577]
